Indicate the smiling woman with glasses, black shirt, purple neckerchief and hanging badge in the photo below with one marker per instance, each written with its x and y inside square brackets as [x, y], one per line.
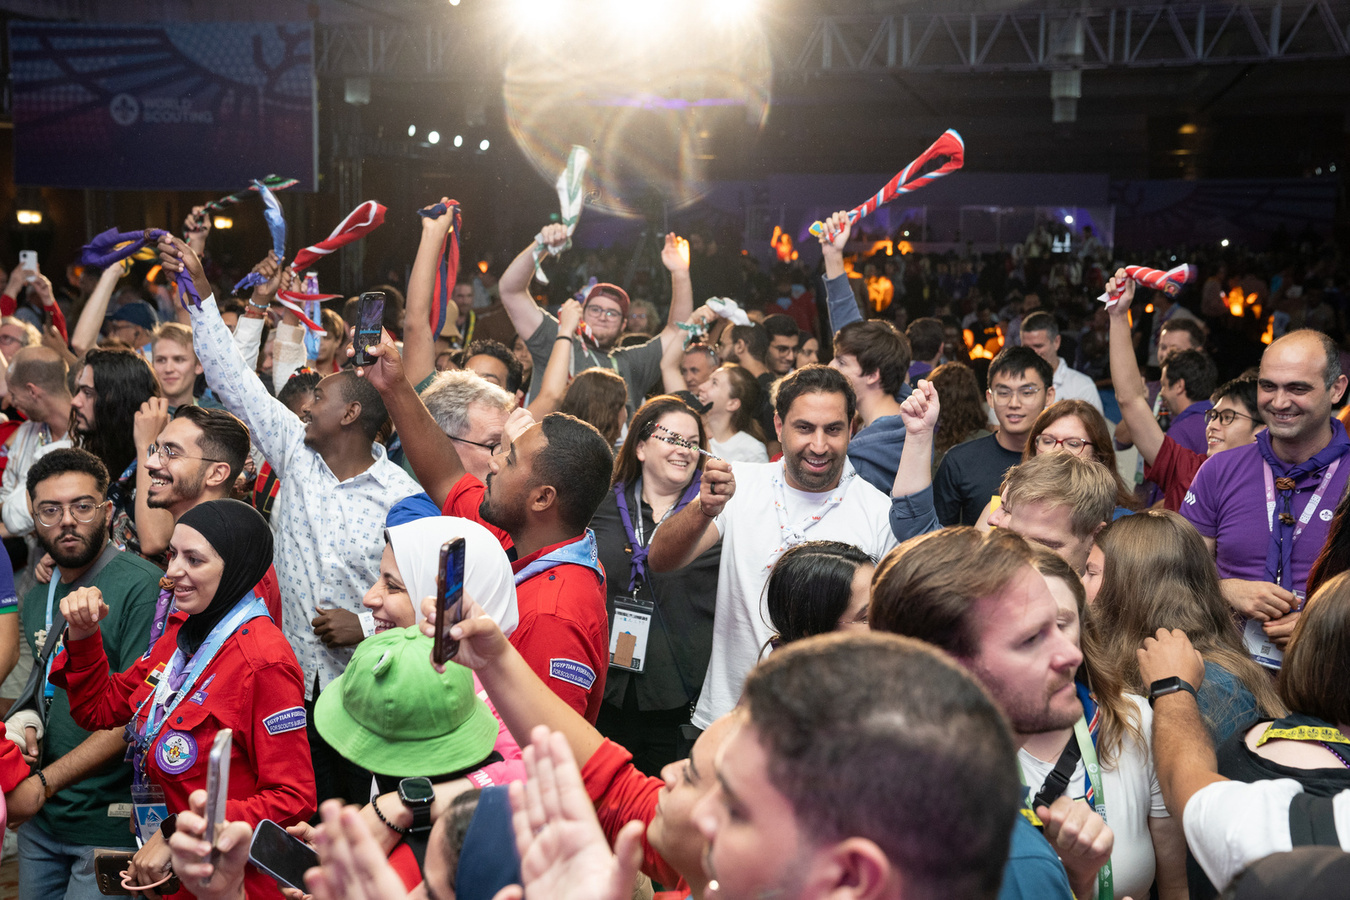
[661, 623]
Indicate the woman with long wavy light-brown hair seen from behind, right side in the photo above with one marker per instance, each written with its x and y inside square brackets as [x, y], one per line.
[1159, 575]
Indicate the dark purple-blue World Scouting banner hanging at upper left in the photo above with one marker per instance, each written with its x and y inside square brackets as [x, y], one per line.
[192, 107]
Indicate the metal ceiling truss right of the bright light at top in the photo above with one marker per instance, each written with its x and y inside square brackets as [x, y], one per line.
[1028, 41]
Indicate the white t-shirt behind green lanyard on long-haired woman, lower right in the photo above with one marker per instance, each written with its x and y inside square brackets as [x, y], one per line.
[1133, 797]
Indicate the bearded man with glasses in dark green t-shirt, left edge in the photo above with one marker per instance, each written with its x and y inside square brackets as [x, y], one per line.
[76, 801]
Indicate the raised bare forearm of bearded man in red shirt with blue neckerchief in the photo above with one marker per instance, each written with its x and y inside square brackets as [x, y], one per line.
[430, 451]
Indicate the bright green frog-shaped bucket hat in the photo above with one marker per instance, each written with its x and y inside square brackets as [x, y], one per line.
[391, 712]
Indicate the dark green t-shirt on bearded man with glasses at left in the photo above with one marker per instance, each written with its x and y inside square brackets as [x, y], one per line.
[84, 813]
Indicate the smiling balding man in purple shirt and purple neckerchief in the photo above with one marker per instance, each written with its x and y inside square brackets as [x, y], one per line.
[1266, 509]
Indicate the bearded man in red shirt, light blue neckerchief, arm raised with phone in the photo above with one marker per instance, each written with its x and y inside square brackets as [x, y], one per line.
[545, 484]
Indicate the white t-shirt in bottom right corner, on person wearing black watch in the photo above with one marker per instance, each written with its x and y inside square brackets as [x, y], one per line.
[1231, 825]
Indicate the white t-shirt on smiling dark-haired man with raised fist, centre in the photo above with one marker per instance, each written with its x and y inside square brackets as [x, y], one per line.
[751, 535]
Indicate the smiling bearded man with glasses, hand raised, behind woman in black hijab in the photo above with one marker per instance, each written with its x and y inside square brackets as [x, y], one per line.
[190, 459]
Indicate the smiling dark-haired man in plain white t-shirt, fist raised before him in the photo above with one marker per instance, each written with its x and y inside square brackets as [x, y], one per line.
[813, 495]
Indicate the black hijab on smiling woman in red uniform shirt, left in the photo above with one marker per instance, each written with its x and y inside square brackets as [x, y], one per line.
[241, 535]
